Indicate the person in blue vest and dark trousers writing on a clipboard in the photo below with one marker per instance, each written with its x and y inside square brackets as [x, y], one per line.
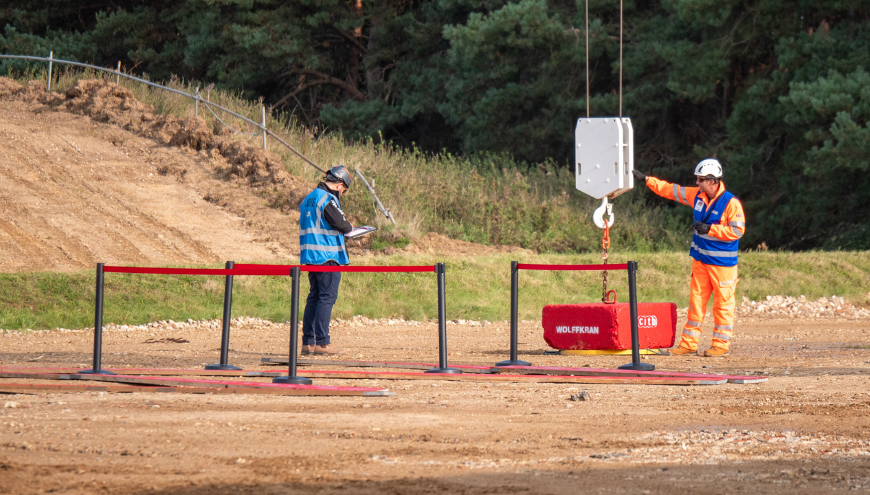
[322, 226]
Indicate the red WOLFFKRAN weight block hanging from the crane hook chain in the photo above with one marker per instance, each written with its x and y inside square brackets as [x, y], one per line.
[603, 327]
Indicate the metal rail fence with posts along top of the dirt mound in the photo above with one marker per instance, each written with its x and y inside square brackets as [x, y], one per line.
[50, 60]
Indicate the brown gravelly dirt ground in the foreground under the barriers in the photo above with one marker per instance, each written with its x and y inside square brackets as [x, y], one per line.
[803, 431]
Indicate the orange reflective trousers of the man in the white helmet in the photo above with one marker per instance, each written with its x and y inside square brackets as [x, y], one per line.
[721, 282]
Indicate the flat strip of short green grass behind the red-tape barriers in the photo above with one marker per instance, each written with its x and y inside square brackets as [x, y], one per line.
[477, 288]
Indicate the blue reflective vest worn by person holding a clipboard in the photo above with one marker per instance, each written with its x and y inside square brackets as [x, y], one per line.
[318, 241]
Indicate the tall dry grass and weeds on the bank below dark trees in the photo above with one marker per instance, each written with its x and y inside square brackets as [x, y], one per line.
[488, 198]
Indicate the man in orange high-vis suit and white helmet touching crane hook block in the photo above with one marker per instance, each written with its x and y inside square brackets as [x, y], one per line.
[719, 225]
